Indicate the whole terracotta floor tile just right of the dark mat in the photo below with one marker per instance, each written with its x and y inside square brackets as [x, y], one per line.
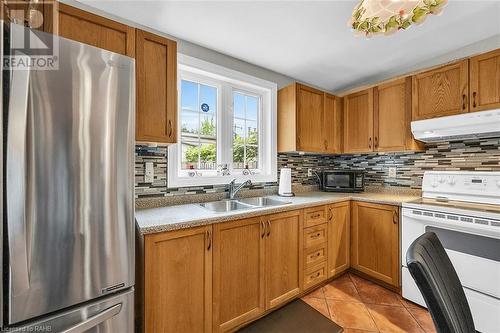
[351, 315]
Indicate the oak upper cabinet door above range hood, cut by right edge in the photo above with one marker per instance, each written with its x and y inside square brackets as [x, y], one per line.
[485, 81]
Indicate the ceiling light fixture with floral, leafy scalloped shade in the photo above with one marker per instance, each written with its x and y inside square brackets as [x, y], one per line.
[372, 17]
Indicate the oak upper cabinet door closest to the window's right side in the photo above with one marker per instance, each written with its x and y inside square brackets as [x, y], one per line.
[310, 119]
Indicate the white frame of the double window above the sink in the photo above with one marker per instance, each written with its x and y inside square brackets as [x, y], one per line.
[227, 80]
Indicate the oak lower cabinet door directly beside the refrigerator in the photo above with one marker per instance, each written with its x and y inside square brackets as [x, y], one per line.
[178, 281]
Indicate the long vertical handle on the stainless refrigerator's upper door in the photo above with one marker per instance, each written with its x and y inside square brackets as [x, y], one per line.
[15, 180]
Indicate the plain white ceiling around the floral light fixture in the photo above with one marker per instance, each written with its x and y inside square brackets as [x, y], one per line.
[310, 40]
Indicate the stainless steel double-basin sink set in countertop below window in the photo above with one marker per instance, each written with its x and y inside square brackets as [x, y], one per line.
[222, 206]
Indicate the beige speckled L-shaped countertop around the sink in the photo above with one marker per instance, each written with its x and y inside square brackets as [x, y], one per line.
[169, 218]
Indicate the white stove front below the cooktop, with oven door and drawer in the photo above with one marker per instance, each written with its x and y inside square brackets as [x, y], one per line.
[474, 251]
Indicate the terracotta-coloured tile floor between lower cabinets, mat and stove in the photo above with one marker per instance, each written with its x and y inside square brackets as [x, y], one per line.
[360, 306]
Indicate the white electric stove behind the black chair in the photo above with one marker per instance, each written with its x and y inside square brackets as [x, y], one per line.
[463, 209]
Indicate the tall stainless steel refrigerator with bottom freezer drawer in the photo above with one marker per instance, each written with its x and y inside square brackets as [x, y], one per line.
[67, 199]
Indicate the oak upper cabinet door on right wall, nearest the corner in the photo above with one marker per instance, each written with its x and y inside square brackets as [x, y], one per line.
[358, 122]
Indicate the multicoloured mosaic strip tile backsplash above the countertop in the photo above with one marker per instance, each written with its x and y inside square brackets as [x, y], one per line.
[479, 155]
